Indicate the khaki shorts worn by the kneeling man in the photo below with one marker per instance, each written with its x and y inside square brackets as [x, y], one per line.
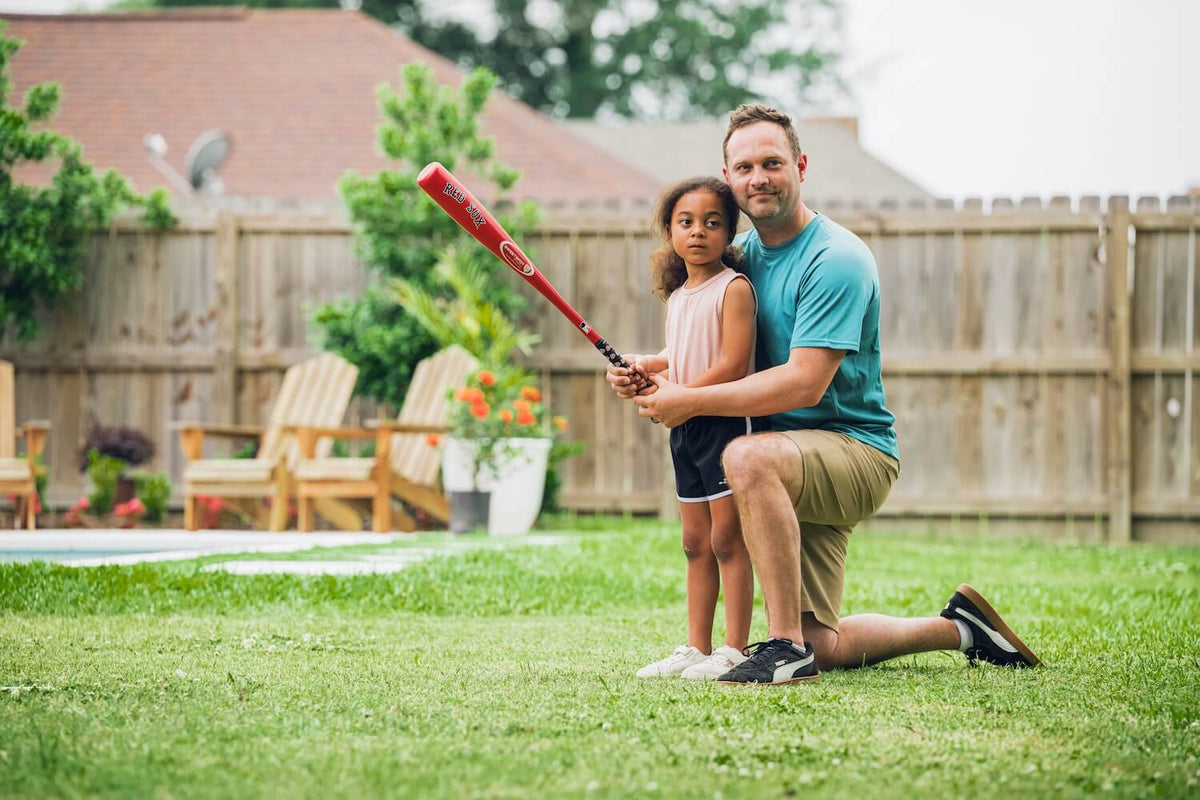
[845, 482]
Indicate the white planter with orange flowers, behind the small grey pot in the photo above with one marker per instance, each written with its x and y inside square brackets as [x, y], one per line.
[517, 492]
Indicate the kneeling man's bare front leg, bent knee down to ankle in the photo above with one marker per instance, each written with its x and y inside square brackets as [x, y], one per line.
[766, 474]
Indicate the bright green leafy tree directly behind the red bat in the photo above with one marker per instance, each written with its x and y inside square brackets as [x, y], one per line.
[403, 234]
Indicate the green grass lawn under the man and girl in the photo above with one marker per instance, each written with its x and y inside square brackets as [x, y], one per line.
[511, 673]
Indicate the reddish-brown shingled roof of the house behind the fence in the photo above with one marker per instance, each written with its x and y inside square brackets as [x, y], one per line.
[296, 89]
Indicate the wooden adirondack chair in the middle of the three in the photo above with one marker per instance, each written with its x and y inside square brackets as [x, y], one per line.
[315, 393]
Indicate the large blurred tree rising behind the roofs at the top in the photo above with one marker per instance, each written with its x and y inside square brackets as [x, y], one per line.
[649, 59]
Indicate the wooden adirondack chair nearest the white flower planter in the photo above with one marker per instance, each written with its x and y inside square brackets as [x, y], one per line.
[405, 465]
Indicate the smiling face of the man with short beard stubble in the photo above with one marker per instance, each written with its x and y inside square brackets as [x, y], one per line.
[764, 175]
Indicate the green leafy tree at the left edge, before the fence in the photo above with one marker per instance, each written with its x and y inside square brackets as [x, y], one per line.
[43, 231]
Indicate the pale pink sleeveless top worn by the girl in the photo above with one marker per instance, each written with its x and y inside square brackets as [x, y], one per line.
[694, 327]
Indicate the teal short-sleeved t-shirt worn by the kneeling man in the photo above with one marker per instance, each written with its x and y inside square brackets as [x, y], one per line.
[823, 291]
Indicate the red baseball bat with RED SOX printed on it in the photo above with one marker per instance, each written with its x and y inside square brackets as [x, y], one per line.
[463, 207]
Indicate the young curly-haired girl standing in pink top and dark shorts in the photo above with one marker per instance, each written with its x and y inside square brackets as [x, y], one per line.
[711, 333]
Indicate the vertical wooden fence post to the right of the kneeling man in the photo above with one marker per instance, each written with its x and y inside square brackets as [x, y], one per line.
[1120, 480]
